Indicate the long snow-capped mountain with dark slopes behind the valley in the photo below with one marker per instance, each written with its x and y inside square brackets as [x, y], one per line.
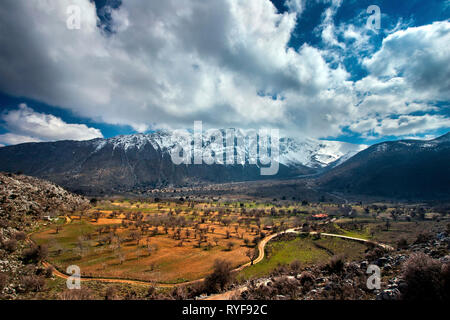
[143, 161]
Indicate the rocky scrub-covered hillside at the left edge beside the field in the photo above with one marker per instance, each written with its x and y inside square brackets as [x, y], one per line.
[22, 201]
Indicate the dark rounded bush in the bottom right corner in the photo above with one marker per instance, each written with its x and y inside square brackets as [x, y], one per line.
[424, 278]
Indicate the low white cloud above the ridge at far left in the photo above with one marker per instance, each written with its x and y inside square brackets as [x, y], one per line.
[26, 125]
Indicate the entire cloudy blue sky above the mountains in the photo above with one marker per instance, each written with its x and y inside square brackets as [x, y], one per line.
[311, 68]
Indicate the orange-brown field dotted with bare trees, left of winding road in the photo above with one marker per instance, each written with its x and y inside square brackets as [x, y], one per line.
[158, 257]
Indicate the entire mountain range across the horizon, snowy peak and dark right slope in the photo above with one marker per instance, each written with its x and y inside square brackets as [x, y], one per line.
[408, 169]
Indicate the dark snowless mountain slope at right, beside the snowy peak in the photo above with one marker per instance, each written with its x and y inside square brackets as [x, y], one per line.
[408, 169]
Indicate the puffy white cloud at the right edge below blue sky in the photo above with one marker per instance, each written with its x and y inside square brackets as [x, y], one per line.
[420, 56]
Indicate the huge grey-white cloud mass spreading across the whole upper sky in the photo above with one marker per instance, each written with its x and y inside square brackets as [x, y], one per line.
[225, 62]
